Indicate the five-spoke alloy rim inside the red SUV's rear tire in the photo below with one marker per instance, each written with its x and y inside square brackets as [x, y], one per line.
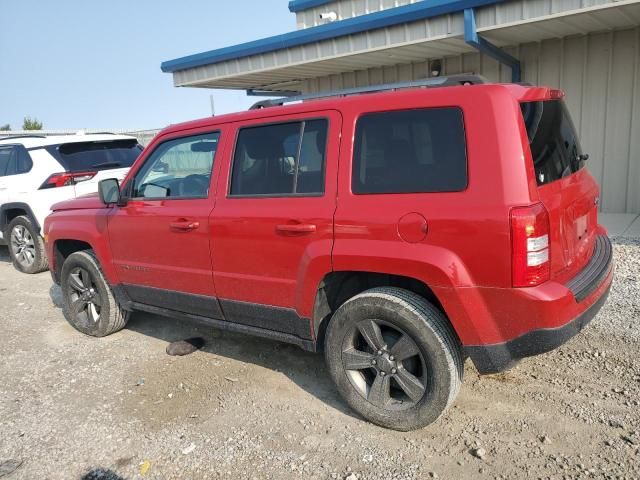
[385, 365]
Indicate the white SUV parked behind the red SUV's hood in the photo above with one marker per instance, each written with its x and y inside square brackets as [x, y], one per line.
[38, 171]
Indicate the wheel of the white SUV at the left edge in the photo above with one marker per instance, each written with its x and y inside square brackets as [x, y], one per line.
[26, 246]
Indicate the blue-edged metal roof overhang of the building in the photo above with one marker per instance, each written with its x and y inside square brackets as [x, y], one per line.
[402, 35]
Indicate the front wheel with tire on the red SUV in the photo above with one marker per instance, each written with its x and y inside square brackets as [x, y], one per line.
[88, 302]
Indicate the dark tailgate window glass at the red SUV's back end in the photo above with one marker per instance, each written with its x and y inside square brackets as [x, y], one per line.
[555, 148]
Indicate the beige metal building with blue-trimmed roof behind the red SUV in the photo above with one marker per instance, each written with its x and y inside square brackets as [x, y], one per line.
[589, 48]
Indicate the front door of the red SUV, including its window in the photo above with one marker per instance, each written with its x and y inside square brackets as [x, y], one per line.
[160, 238]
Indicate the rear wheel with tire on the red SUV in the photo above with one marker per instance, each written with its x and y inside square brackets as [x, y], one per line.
[394, 358]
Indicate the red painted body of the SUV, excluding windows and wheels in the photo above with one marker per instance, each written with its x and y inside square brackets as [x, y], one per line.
[276, 251]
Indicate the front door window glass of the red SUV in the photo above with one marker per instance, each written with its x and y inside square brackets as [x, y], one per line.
[179, 168]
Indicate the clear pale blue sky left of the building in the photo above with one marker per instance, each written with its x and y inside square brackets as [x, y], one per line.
[94, 64]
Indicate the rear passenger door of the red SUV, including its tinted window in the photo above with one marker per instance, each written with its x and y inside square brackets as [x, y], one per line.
[273, 223]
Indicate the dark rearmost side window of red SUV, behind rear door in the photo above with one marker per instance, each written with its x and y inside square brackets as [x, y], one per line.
[410, 151]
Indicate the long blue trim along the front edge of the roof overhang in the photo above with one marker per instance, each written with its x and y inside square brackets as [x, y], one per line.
[371, 21]
